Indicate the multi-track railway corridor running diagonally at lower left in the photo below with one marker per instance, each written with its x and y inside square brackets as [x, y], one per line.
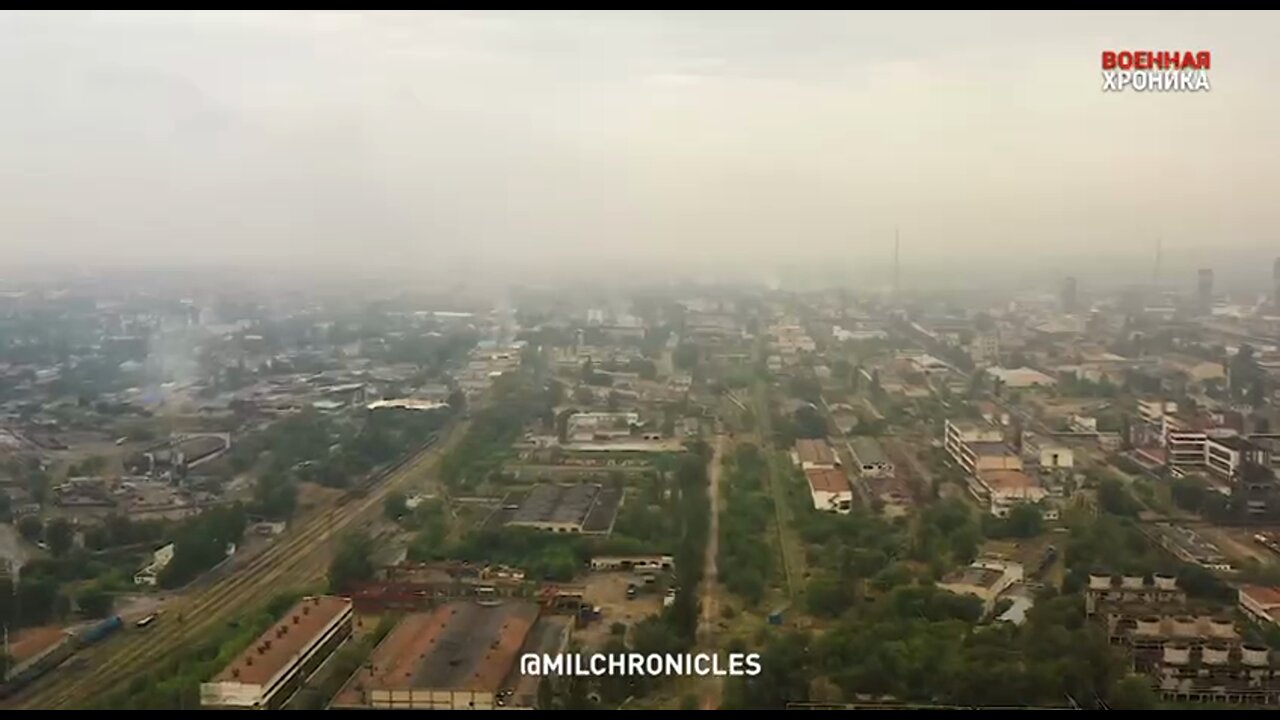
[298, 560]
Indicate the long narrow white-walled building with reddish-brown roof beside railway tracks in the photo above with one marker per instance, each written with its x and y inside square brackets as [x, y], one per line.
[269, 672]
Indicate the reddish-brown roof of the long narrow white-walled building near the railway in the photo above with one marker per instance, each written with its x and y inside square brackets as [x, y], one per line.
[285, 641]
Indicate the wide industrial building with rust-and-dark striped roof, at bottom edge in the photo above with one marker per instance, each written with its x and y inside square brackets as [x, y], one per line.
[463, 657]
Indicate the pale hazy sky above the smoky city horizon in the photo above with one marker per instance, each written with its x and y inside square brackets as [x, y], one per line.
[404, 138]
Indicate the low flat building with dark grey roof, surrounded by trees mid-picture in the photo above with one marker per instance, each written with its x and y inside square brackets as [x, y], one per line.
[584, 509]
